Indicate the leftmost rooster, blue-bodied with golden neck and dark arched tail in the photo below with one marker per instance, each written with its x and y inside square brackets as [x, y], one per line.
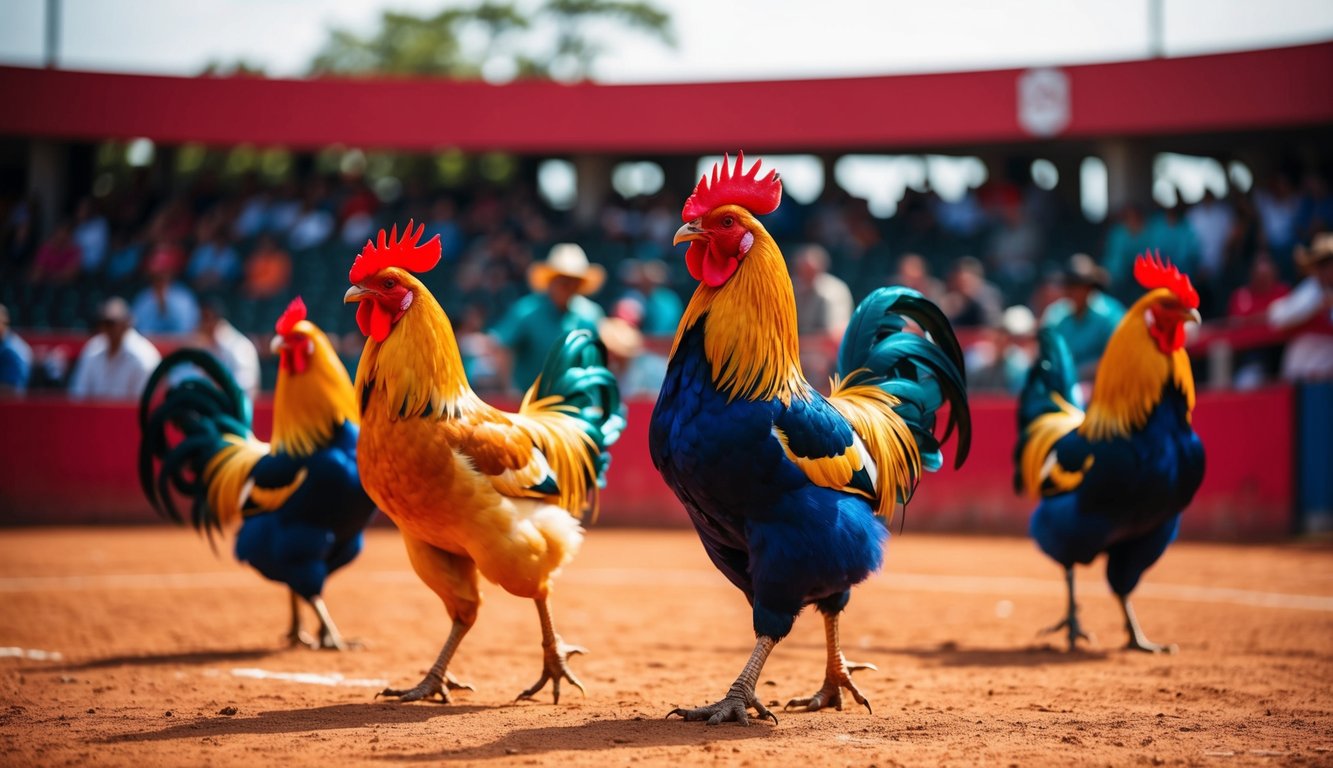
[299, 501]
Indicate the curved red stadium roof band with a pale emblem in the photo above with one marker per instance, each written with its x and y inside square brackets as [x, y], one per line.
[1247, 91]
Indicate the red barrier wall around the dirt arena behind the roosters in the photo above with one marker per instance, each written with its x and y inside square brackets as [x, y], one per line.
[77, 463]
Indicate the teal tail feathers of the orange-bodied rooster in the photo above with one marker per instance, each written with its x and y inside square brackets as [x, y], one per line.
[577, 371]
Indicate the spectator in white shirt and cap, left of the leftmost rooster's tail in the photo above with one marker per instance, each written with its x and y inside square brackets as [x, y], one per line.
[117, 362]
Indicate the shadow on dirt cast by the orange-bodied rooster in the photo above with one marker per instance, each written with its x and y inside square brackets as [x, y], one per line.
[331, 718]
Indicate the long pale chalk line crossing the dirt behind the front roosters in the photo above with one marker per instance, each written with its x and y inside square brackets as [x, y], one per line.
[895, 582]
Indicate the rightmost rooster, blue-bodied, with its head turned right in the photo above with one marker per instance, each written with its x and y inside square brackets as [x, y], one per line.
[1115, 479]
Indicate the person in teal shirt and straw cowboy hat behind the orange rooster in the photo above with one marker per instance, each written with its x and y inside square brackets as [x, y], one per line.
[558, 305]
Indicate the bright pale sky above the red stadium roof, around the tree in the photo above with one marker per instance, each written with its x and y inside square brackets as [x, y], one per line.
[744, 39]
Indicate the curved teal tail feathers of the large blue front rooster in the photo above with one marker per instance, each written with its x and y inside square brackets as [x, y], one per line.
[923, 375]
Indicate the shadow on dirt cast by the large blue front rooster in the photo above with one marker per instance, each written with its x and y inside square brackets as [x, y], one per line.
[595, 737]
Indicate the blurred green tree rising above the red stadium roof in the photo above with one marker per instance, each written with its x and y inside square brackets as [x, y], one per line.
[497, 38]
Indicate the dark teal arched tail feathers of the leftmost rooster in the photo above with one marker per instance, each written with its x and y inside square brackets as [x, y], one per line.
[202, 411]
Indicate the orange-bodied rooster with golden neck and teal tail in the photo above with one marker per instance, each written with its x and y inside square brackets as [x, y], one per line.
[471, 487]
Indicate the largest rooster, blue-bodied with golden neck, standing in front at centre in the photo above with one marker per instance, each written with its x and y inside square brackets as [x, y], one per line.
[790, 491]
